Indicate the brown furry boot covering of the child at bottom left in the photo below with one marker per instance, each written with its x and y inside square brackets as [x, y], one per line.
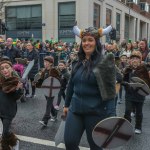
[8, 141]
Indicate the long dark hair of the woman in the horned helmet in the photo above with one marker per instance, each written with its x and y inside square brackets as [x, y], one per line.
[88, 64]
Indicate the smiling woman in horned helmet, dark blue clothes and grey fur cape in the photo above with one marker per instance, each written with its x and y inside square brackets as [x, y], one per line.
[91, 89]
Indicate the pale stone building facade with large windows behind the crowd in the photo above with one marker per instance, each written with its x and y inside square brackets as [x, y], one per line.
[43, 19]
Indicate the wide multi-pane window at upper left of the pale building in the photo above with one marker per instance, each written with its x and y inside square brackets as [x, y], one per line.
[24, 17]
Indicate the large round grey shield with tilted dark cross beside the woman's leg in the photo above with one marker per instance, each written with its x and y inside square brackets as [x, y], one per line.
[112, 132]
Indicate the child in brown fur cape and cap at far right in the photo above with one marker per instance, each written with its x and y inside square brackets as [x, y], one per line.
[132, 97]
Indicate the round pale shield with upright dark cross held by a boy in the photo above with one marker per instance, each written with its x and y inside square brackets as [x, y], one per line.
[50, 86]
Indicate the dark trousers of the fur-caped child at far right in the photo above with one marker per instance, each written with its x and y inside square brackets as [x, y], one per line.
[138, 111]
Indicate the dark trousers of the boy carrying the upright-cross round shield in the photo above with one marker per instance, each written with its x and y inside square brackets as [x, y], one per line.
[49, 109]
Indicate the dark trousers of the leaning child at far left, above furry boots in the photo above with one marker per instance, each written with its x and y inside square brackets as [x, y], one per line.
[6, 126]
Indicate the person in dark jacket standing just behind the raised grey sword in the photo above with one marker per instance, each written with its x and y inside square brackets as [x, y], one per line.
[32, 55]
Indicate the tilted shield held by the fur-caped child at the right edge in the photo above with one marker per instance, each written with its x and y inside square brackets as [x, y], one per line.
[142, 88]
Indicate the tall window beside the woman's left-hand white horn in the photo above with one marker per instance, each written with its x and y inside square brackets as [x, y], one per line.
[66, 20]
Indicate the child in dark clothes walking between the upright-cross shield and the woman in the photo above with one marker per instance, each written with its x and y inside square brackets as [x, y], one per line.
[64, 77]
